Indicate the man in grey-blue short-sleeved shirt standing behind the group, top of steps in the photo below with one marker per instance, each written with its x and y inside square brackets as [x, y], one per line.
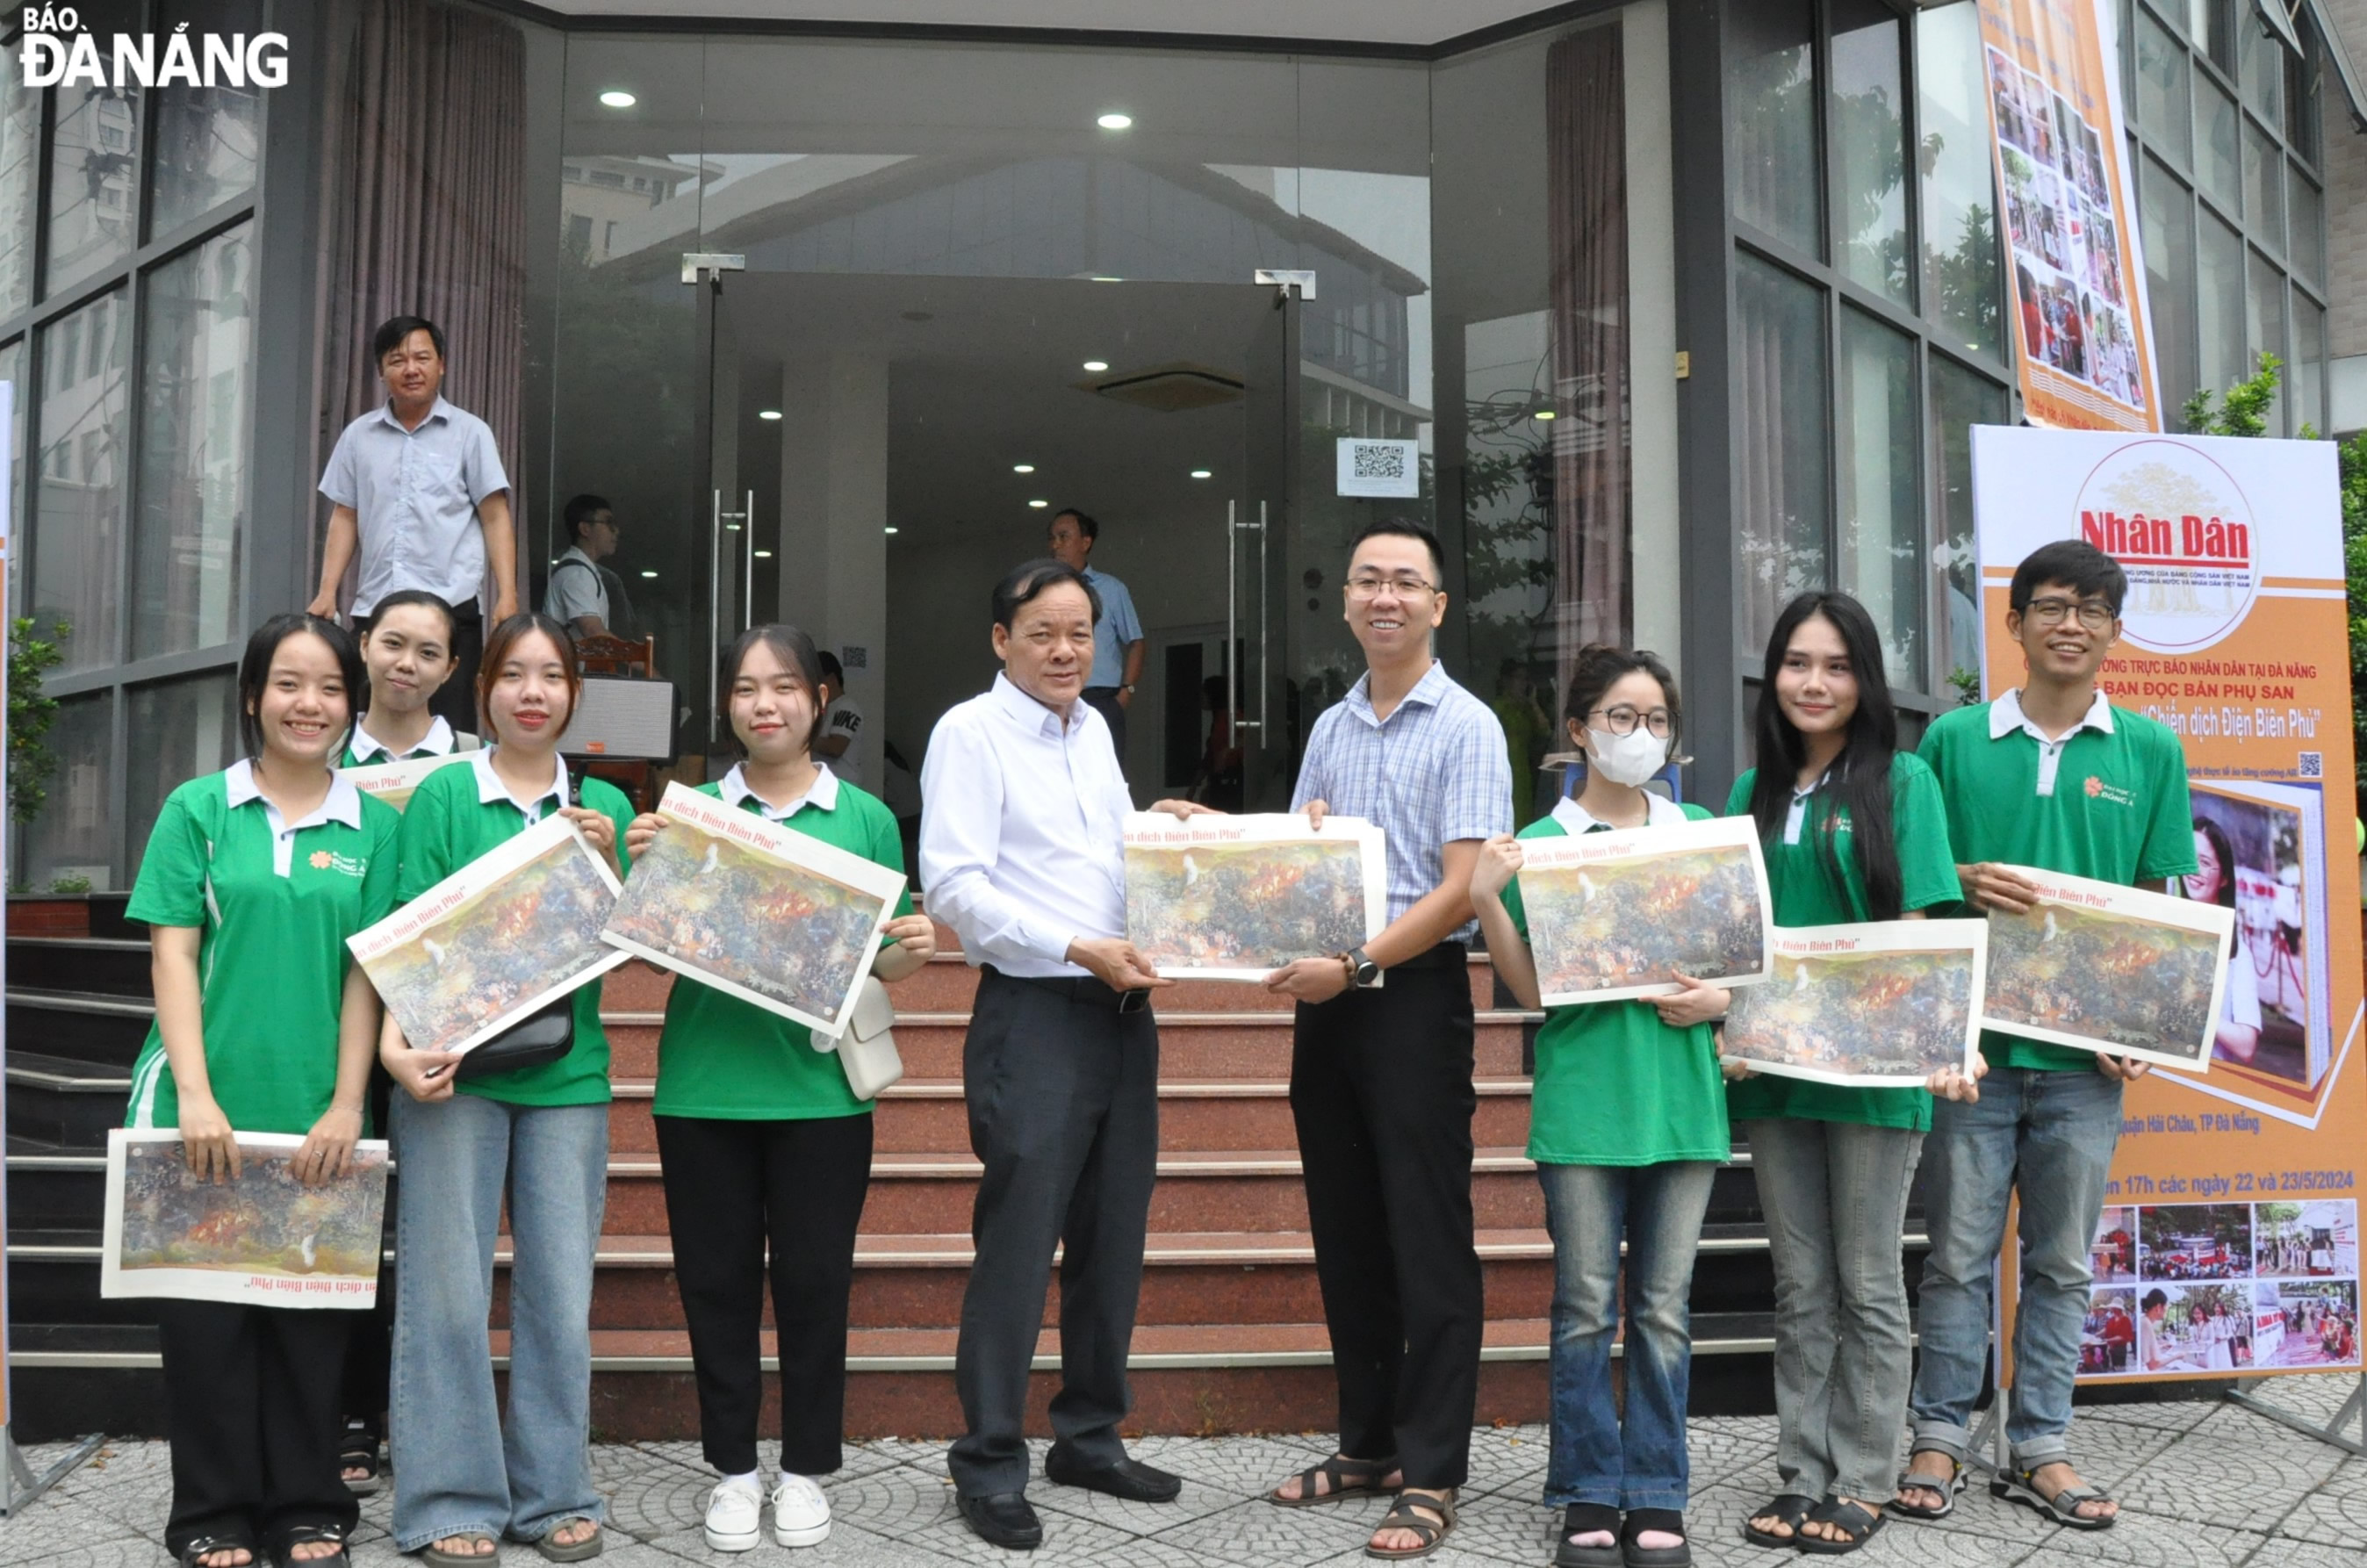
[420, 494]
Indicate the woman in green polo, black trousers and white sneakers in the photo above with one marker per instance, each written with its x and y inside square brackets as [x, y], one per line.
[763, 1140]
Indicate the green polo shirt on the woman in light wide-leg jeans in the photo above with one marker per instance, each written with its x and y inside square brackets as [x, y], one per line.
[449, 823]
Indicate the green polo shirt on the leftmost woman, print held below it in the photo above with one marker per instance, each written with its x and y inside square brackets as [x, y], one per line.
[273, 908]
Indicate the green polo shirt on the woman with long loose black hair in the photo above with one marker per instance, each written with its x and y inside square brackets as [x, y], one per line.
[1807, 894]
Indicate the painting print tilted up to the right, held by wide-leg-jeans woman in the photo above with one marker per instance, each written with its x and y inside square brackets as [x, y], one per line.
[496, 942]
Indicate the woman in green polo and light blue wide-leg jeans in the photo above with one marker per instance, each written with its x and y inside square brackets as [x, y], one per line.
[465, 1477]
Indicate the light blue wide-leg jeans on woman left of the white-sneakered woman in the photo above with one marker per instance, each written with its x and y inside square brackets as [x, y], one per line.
[460, 1465]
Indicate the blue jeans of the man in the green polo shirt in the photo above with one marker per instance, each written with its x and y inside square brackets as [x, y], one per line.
[2051, 1136]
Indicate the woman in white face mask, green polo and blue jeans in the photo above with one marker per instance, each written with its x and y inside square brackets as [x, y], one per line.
[1627, 1126]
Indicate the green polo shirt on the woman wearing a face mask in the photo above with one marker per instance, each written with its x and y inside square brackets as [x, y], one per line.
[1615, 1086]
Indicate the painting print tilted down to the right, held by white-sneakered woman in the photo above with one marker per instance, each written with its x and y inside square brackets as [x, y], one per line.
[756, 911]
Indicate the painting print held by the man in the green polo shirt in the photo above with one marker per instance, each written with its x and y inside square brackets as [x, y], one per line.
[2110, 970]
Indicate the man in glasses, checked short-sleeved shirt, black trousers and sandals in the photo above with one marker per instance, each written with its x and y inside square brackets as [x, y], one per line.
[1381, 1081]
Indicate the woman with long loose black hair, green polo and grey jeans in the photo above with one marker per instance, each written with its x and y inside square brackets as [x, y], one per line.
[1852, 833]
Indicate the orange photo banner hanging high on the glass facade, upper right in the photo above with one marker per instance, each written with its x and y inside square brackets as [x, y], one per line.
[2070, 217]
